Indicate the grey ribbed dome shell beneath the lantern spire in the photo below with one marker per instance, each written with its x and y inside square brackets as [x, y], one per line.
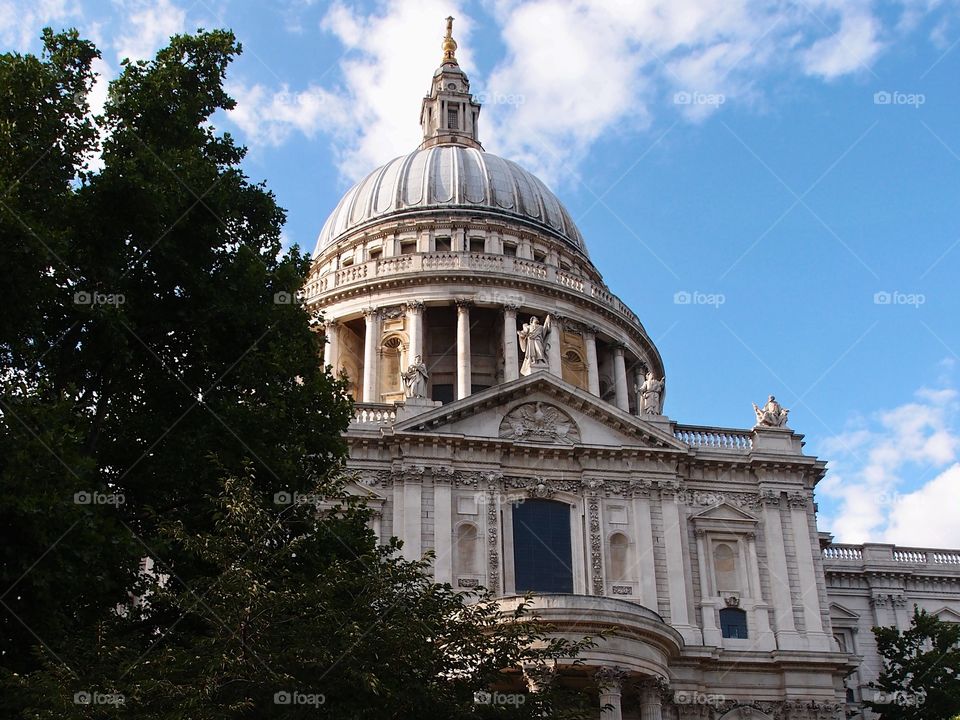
[450, 177]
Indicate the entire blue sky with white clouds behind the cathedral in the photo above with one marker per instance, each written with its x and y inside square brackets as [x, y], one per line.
[792, 167]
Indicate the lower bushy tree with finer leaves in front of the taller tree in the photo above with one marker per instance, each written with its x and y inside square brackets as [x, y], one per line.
[302, 615]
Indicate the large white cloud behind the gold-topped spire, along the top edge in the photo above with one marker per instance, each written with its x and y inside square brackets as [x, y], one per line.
[572, 72]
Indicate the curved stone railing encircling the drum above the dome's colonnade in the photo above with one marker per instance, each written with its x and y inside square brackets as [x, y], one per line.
[480, 263]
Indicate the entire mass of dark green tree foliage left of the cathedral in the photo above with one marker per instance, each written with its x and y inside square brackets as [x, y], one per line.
[161, 384]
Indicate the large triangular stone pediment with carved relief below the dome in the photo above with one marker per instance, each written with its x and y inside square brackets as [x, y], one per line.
[540, 409]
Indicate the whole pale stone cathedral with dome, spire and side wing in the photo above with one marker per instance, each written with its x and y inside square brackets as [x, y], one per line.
[510, 418]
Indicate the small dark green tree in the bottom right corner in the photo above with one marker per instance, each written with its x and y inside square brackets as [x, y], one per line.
[920, 679]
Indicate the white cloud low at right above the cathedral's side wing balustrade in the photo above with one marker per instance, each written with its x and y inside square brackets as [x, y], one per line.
[879, 469]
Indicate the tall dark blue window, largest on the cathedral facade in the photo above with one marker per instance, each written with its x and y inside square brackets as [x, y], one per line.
[541, 547]
